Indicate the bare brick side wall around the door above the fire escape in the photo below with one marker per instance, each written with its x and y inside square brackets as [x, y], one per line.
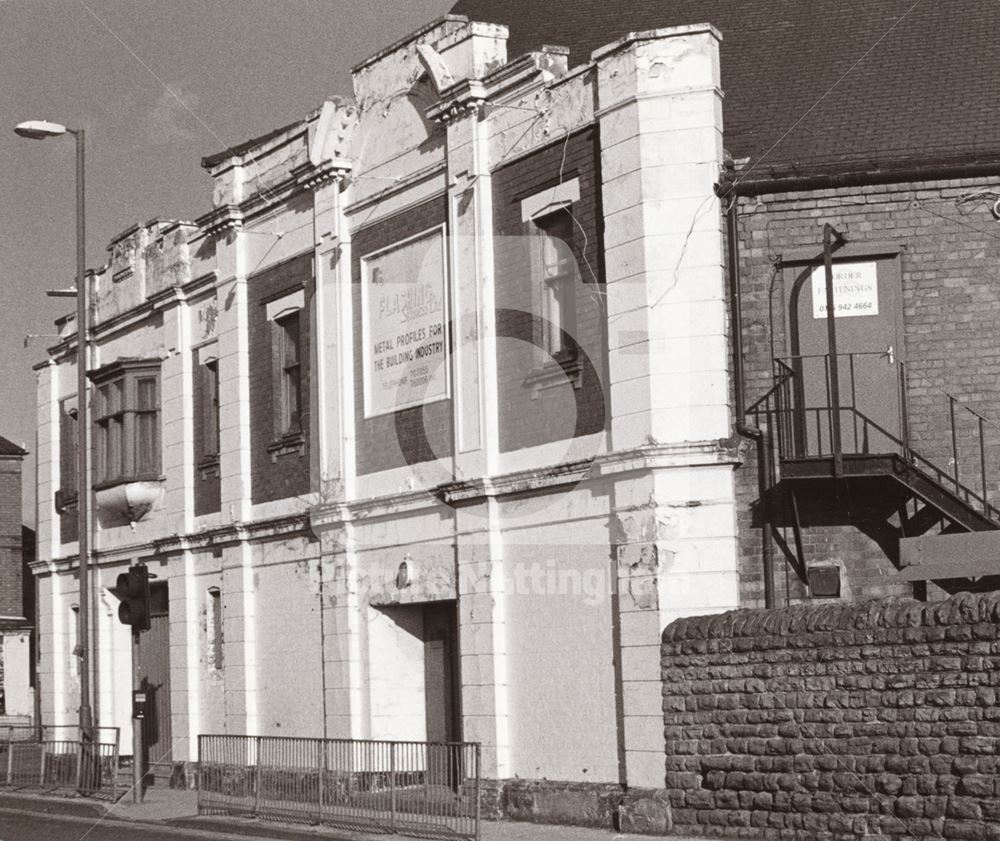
[950, 267]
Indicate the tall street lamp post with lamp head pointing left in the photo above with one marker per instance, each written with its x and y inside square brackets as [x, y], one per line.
[39, 130]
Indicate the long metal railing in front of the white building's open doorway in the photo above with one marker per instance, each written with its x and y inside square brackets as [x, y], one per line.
[421, 789]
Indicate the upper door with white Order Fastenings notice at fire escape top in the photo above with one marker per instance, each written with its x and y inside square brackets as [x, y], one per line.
[868, 298]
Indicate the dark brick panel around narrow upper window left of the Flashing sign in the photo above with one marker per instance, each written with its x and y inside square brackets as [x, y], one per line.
[282, 475]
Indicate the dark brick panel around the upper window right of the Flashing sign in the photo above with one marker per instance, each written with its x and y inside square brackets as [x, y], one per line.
[530, 416]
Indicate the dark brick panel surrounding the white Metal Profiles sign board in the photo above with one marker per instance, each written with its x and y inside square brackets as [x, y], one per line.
[412, 436]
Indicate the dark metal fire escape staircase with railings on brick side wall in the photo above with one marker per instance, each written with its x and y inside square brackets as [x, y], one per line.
[832, 464]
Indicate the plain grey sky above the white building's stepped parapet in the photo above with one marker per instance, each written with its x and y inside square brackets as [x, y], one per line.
[235, 69]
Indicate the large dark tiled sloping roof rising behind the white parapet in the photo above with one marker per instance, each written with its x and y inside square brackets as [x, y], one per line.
[928, 89]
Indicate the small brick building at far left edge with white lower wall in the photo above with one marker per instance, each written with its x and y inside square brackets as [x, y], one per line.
[17, 595]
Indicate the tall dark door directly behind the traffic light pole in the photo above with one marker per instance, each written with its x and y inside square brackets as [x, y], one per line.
[154, 677]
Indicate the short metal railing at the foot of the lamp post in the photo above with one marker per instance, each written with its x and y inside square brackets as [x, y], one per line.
[60, 759]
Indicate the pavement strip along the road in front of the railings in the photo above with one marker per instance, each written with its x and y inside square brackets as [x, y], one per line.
[176, 811]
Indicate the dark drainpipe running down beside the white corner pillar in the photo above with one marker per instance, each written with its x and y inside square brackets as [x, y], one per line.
[742, 427]
